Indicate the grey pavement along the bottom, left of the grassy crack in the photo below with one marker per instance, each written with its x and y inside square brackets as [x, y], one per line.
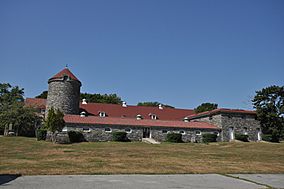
[212, 181]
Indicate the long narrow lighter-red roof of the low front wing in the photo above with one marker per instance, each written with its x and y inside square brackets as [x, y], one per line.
[134, 122]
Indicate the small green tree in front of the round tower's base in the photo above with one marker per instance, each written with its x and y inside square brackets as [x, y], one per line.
[54, 121]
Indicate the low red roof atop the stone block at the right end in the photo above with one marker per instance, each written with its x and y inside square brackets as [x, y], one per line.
[221, 110]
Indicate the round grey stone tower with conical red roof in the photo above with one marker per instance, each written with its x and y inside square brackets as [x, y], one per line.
[64, 92]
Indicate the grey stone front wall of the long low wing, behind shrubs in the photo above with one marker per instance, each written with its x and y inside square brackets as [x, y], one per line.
[94, 133]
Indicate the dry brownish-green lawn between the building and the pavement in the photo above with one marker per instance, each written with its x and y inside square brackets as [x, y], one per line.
[20, 155]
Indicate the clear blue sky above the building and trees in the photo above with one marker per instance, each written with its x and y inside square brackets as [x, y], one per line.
[178, 52]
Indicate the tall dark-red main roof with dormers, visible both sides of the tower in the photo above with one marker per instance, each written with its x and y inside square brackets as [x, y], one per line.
[115, 110]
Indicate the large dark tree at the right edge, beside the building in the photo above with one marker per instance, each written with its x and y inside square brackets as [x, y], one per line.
[269, 106]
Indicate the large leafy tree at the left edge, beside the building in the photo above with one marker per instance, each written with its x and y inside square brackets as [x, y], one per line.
[13, 112]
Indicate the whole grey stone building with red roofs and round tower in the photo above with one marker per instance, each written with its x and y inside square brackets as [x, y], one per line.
[97, 121]
